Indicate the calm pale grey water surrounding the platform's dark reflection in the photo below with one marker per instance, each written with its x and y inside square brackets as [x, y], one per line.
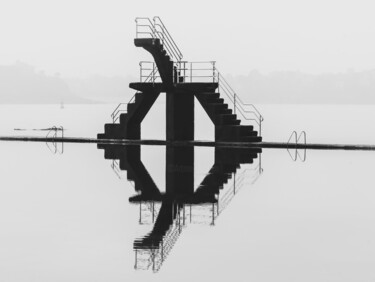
[67, 217]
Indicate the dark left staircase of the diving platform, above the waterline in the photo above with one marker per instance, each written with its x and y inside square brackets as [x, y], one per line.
[130, 122]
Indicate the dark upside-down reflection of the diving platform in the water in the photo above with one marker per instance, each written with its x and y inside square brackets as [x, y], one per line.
[181, 204]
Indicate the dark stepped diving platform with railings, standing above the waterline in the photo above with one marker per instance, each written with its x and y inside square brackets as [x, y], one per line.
[180, 81]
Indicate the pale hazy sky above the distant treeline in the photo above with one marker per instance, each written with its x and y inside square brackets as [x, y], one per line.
[83, 37]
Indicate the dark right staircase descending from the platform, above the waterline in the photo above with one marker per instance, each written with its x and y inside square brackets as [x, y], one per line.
[227, 125]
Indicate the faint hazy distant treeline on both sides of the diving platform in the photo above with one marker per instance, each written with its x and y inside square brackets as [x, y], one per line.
[21, 83]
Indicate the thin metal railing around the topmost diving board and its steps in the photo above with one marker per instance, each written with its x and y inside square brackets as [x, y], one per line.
[145, 28]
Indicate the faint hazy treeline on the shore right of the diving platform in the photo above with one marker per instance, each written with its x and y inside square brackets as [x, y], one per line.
[301, 88]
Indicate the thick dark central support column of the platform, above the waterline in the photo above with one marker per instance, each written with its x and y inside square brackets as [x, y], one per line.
[180, 116]
